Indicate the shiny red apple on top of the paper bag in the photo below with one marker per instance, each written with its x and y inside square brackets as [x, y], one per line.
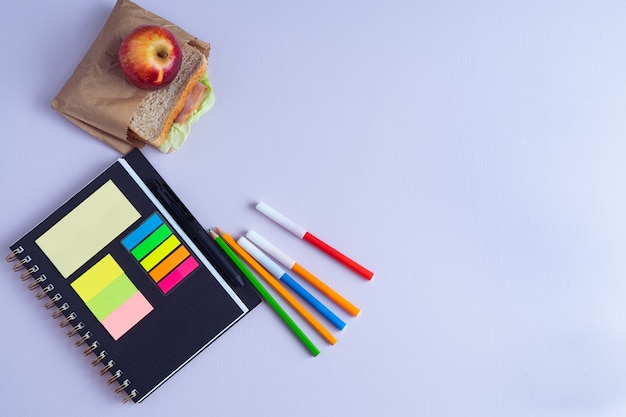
[150, 57]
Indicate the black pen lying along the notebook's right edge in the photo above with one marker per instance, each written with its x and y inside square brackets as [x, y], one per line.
[195, 231]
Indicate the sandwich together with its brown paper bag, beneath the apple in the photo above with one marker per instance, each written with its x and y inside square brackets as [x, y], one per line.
[98, 99]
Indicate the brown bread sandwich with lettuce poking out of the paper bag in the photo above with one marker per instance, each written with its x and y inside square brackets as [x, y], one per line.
[164, 116]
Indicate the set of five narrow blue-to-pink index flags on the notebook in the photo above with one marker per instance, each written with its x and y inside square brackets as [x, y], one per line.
[160, 253]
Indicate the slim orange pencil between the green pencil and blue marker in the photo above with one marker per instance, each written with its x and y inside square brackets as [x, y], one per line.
[278, 288]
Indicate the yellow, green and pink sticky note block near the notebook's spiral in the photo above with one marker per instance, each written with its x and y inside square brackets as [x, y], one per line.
[112, 297]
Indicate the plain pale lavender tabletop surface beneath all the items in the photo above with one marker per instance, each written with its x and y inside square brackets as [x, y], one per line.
[470, 153]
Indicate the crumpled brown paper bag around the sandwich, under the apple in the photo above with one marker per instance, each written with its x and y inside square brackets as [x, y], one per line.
[97, 97]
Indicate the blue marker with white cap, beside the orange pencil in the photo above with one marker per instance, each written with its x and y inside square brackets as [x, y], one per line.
[280, 274]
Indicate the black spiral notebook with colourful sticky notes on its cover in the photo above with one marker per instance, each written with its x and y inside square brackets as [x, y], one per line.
[124, 276]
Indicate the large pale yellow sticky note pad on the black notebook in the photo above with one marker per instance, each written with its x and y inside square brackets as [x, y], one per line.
[88, 228]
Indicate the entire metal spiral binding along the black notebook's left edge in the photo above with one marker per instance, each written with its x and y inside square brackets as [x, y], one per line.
[22, 263]
